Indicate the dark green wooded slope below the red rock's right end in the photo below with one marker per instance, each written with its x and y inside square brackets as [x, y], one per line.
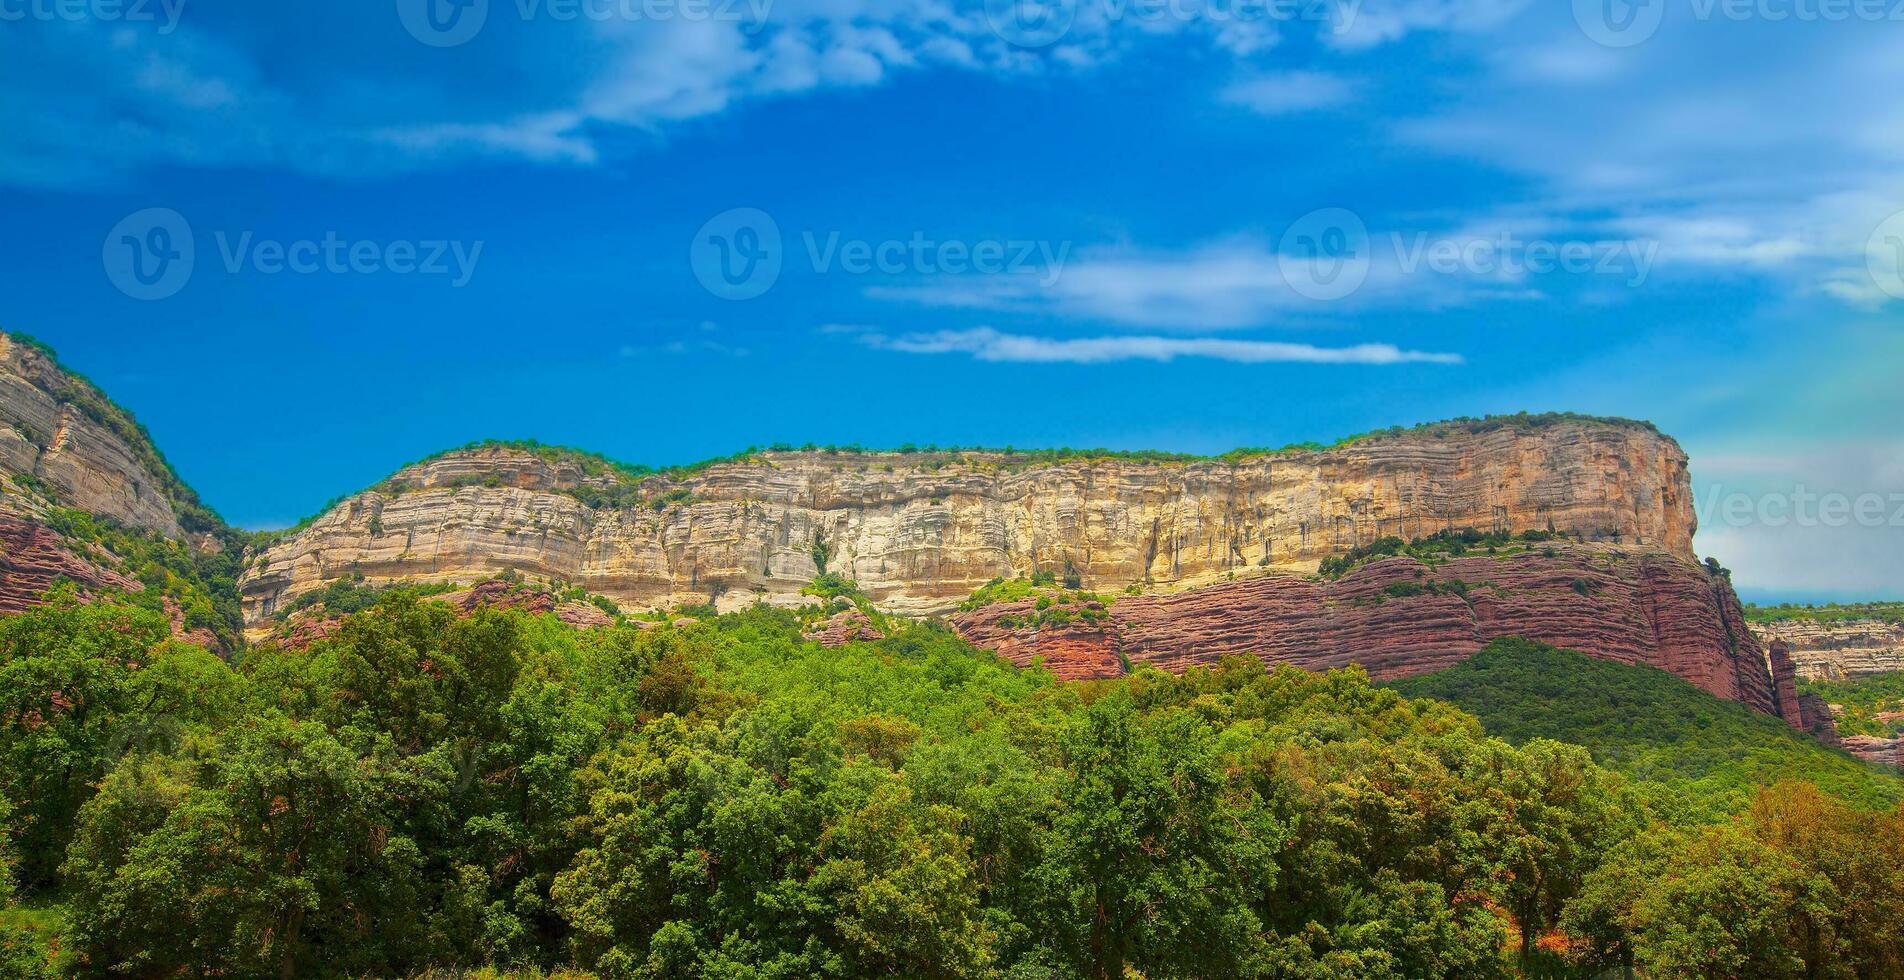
[1648, 724]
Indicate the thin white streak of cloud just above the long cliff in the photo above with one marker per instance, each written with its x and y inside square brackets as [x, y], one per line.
[993, 345]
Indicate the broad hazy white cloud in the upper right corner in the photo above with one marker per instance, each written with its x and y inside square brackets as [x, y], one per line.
[1741, 147]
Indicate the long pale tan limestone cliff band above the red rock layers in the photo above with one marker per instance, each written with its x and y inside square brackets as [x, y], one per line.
[921, 532]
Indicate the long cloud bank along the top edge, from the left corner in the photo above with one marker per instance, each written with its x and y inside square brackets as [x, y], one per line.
[359, 98]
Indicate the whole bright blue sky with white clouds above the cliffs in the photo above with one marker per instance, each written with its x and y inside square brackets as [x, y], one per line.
[1140, 224]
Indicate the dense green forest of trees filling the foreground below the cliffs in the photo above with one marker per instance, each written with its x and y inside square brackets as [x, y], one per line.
[426, 791]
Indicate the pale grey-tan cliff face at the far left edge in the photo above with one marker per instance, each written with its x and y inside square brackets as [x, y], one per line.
[62, 433]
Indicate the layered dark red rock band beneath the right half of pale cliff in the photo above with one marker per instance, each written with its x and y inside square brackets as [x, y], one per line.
[1398, 617]
